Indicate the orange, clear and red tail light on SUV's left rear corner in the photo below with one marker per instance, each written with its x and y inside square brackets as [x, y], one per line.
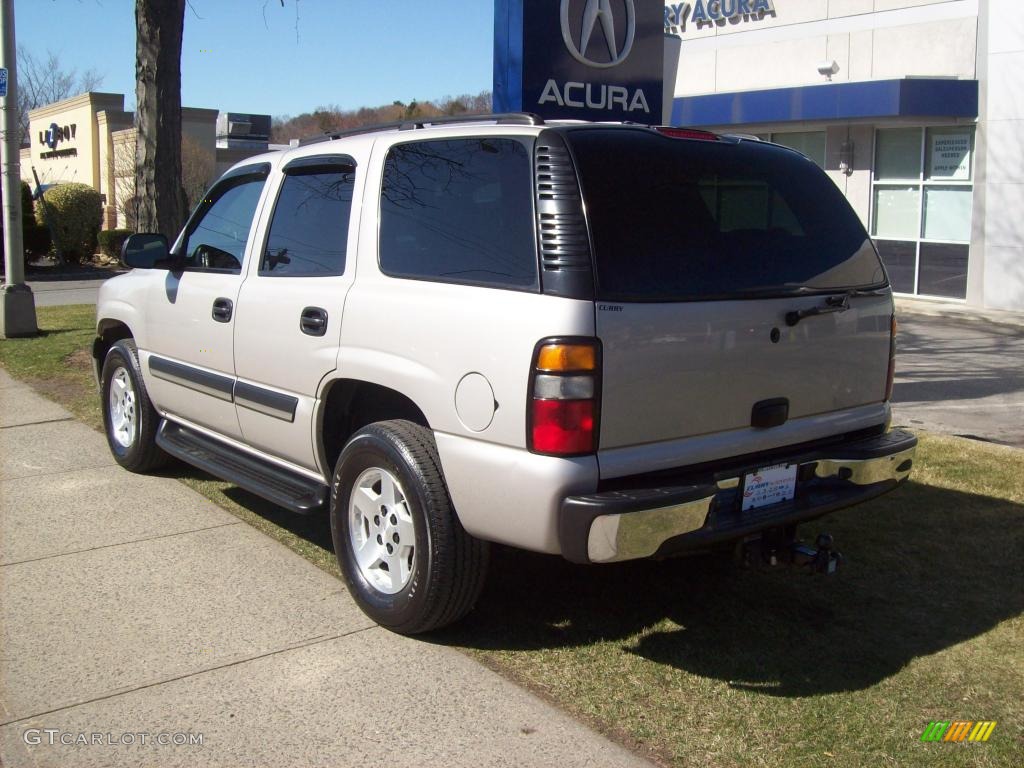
[565, 398]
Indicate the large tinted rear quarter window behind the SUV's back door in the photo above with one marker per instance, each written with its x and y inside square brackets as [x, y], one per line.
[460, 211]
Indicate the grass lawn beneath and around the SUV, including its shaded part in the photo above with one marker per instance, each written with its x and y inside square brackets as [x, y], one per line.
[700, 664]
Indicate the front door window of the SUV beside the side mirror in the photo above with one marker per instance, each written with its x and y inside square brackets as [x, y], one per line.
[217, 241]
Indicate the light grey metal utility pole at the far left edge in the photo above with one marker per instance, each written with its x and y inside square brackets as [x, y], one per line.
[18, 307]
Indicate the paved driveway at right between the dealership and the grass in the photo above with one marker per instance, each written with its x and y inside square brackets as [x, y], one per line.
[960, 376]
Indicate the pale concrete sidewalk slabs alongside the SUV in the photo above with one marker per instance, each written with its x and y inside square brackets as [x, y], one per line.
[134, 608]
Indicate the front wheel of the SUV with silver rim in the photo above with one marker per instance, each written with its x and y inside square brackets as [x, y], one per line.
[130, 418]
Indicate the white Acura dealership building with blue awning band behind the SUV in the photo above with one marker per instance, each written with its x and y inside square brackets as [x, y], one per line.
[913, 108]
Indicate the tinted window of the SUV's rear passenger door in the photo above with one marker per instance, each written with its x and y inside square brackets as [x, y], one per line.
[310, 231]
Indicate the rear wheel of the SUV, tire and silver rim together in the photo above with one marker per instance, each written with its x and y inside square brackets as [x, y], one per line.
[407, 560]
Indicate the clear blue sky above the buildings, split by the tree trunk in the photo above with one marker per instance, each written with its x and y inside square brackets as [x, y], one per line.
[350, 53]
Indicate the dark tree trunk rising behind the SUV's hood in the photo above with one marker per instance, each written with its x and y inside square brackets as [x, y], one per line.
[159, 194]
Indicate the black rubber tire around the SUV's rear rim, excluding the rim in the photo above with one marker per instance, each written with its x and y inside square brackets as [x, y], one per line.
[449, 566]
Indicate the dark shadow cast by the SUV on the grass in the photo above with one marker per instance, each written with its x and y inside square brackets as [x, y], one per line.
[927, 569]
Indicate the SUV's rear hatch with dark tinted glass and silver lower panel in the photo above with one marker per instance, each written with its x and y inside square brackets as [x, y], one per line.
[702, 249]
